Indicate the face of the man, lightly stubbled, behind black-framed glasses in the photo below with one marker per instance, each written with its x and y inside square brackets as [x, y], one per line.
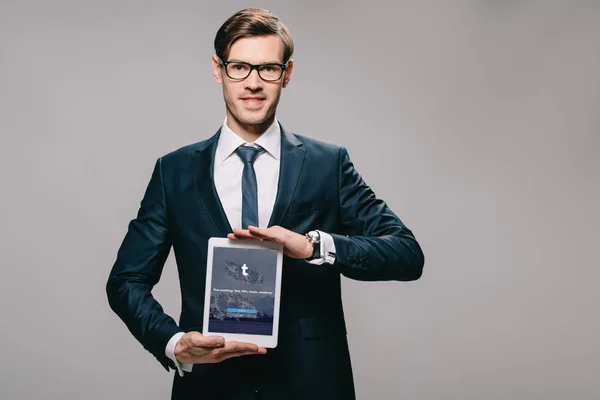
[251, 103]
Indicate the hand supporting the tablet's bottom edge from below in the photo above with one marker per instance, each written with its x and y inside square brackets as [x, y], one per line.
[195, 348]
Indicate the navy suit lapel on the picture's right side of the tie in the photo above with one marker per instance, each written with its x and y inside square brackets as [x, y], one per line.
[292, 159]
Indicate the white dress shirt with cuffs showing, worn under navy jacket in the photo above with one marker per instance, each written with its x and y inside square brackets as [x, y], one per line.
[228, 169]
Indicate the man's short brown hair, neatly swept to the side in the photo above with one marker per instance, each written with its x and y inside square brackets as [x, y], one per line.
[252, 22]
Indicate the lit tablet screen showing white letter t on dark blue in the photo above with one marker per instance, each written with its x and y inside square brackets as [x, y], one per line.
[243, 291]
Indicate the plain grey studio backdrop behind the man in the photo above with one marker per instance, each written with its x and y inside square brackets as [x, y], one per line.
[477, 121]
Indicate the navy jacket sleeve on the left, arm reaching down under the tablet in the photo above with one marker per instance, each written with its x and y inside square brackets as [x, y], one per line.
[138, 268]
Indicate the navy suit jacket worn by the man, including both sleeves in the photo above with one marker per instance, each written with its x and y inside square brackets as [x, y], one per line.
[318, 189]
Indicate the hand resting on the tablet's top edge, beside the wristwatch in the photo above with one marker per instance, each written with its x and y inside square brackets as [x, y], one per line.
[294, 244]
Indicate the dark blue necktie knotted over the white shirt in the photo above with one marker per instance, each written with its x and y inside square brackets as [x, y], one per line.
[249, 186]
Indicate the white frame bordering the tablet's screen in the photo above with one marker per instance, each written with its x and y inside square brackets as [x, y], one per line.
[267, 341]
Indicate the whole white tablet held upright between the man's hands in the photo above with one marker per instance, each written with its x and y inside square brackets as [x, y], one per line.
[243, 286]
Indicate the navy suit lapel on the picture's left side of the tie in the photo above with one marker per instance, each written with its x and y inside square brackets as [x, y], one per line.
[203, 163]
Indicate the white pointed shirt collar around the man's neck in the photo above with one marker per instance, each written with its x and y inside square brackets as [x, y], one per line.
[229, 141]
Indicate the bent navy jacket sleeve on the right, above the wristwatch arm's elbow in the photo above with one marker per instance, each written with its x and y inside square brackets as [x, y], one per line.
[376, 244]
